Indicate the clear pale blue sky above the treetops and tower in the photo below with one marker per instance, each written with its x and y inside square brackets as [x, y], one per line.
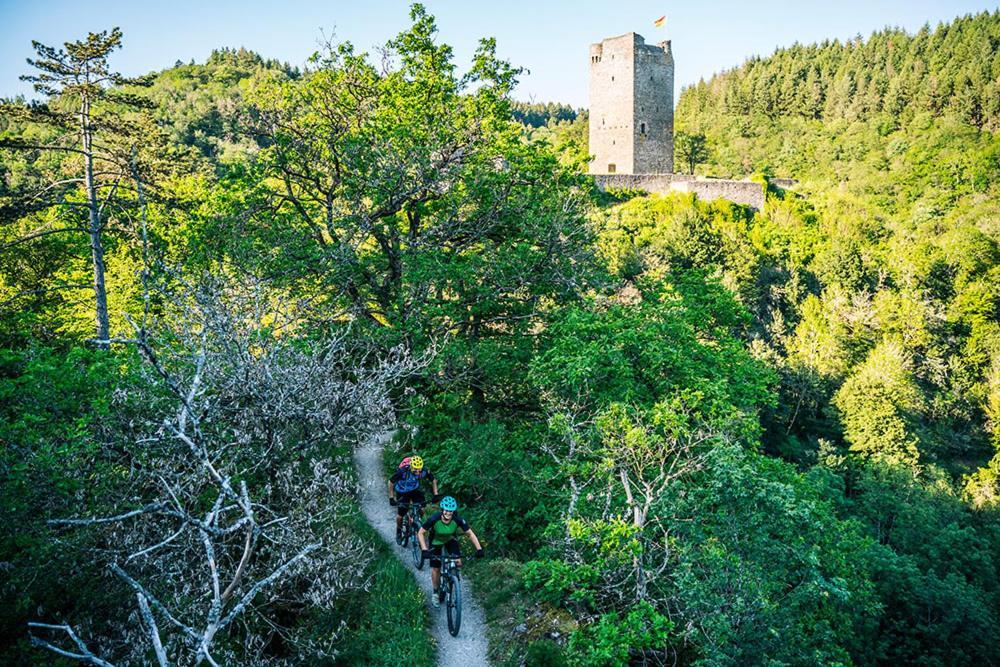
[550, 38]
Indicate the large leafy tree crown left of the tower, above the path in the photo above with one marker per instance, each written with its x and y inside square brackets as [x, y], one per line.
[427, 209]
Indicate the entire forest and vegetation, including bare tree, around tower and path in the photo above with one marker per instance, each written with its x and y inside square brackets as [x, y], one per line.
[687, 432]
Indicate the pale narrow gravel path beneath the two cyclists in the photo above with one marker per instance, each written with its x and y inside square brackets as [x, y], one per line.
[469, 648]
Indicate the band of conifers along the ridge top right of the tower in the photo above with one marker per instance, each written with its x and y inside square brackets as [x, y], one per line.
[891, 78]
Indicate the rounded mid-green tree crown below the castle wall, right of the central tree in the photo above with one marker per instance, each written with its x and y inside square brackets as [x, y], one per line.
[676, 334]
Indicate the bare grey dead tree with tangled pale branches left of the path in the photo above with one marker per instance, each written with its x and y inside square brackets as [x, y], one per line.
[236, 401]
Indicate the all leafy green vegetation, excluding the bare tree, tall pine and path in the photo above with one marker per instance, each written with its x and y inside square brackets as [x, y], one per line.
[849, 327]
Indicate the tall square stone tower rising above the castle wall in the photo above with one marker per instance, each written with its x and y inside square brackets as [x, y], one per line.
[631, 106]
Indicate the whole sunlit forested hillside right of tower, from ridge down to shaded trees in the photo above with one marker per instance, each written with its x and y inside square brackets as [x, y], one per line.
[892, 231]
